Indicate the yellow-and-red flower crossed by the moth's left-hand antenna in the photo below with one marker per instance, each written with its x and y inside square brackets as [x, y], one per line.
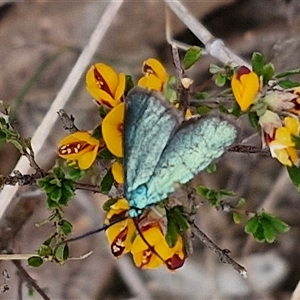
[119, 235]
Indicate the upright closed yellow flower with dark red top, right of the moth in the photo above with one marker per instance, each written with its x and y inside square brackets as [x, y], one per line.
[245, 86]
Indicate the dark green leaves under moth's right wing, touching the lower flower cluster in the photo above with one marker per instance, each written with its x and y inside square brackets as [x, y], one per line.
[177, 224]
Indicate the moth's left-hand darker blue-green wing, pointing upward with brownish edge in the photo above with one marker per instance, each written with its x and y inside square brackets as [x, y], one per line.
[148, 124]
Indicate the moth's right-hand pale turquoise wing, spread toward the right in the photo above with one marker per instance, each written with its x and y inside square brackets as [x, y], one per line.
[191, 149]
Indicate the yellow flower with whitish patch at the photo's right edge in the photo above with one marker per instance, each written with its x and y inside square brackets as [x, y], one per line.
[282, 146]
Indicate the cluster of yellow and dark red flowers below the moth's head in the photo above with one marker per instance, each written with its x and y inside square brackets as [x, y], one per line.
[124, 237]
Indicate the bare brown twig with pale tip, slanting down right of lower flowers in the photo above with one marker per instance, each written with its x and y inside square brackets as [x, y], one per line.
[222, 253]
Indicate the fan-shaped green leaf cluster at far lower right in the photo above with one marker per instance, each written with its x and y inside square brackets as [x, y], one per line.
[265, 227]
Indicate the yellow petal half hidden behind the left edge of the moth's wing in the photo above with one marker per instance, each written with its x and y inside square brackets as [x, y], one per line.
[112, 130]
